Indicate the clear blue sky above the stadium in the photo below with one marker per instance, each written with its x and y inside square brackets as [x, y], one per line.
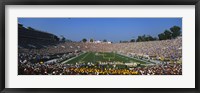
[111, 29]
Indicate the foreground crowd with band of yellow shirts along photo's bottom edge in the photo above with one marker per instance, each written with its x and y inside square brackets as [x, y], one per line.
[96, 69]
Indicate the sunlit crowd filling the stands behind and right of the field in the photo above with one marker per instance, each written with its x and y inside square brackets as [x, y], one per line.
[157, 50]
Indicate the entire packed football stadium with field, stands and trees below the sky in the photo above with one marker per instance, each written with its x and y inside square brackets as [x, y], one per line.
[44, 53]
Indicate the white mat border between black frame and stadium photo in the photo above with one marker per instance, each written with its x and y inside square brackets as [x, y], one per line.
[186, 80]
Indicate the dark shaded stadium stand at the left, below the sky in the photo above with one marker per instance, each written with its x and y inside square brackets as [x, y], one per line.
[31, 38]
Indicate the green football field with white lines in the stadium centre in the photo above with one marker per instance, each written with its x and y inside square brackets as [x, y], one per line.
[95, 57]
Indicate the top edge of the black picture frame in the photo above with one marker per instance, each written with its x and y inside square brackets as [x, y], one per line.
[101, 2]
